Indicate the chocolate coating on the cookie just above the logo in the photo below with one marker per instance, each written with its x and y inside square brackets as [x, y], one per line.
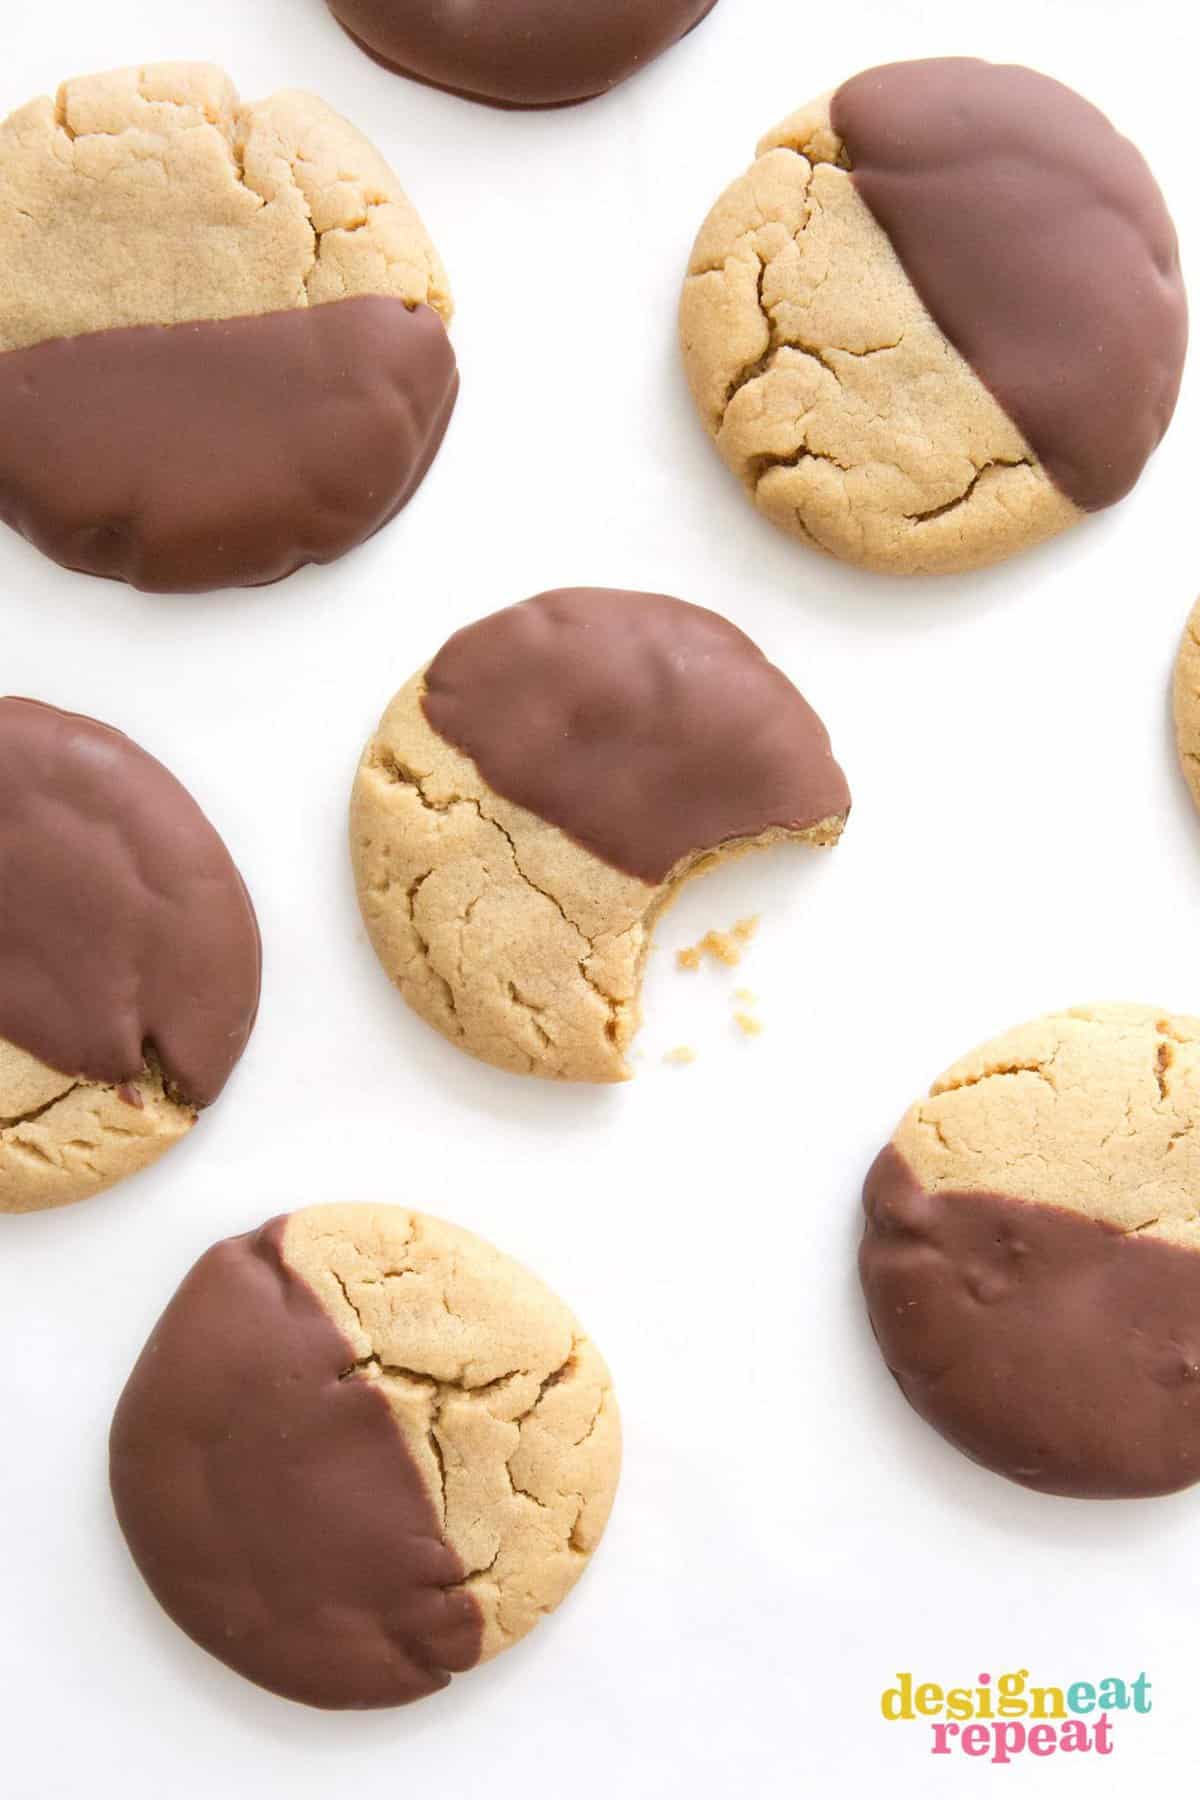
[1046, 1345]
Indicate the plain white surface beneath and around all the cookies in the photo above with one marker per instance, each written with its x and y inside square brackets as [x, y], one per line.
[787, 1534]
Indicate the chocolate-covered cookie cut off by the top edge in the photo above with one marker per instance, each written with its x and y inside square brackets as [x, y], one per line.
[519, 53]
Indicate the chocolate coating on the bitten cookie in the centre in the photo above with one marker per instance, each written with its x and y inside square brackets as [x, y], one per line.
[641, 726]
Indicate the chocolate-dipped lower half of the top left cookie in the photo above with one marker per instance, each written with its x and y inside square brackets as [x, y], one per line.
[224, 453]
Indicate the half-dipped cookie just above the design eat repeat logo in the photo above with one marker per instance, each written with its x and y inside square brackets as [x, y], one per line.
[1032, 1255]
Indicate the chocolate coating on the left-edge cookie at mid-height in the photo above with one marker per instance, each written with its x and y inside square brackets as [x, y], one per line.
[123, 919]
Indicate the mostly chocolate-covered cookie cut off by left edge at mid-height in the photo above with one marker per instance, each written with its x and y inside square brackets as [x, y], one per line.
[129, 958]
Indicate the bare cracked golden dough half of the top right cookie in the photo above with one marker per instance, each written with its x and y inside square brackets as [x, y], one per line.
[830, 391]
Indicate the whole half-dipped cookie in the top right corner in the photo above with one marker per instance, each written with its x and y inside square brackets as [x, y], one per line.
[900, 325]
